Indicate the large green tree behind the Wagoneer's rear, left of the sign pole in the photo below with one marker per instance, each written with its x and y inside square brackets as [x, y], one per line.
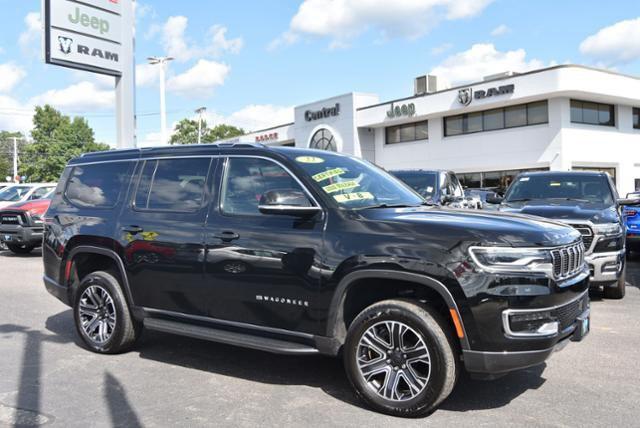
[56, 139]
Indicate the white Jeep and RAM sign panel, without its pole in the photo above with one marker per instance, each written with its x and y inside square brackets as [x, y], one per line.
[86, 35]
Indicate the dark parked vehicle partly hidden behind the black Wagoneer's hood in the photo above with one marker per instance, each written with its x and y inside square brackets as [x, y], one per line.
[438, 187]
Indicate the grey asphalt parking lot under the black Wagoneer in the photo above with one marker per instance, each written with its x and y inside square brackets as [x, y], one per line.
[46, 377]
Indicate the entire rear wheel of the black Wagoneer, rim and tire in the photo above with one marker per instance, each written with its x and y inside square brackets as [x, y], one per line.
[102, 316]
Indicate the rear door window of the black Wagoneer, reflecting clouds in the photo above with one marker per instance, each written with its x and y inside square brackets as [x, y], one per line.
[172, 184]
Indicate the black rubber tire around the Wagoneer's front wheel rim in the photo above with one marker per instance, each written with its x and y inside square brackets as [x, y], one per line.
[443, 355]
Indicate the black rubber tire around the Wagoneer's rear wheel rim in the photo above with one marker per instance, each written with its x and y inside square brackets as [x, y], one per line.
[125, 330]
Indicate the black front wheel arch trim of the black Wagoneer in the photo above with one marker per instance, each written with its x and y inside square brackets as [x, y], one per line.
[336, 326]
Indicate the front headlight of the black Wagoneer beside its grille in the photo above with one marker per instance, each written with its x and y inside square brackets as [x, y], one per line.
[512, 260]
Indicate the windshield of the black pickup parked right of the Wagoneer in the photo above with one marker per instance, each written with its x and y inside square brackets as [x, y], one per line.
[586, 188]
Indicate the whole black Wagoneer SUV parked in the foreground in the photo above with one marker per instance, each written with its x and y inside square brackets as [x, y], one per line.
[302, 252]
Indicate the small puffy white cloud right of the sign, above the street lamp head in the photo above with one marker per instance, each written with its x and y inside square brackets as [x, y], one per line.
[177, 45]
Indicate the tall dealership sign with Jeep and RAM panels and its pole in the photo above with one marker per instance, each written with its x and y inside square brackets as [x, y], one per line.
[96, 36]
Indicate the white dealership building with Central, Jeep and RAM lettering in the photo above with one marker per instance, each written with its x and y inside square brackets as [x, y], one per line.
[559, 118]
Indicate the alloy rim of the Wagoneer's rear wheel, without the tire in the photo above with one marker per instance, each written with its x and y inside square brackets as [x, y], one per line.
[97, 313]
